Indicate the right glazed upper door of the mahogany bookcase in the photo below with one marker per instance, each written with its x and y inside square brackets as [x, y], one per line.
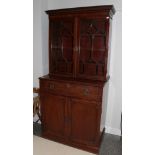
[92, 48]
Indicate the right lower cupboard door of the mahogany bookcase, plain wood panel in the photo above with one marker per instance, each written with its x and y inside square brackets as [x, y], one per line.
[85, 121]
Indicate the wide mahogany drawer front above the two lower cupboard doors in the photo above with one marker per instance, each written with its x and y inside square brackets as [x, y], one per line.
[72, 89]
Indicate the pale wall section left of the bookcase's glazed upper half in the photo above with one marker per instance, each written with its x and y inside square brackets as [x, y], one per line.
[40, 40]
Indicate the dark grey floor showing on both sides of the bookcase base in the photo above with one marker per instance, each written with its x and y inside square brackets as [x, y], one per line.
[111, 144]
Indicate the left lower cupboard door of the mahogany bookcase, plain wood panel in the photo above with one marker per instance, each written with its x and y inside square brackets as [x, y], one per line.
[53, 115]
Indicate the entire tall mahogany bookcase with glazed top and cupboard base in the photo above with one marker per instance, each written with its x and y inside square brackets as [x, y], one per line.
[71, 94]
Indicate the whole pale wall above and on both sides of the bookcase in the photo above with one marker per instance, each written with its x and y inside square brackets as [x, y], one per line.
[114, 87]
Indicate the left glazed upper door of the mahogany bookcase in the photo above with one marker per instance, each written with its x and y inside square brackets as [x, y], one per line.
[61, 47]
